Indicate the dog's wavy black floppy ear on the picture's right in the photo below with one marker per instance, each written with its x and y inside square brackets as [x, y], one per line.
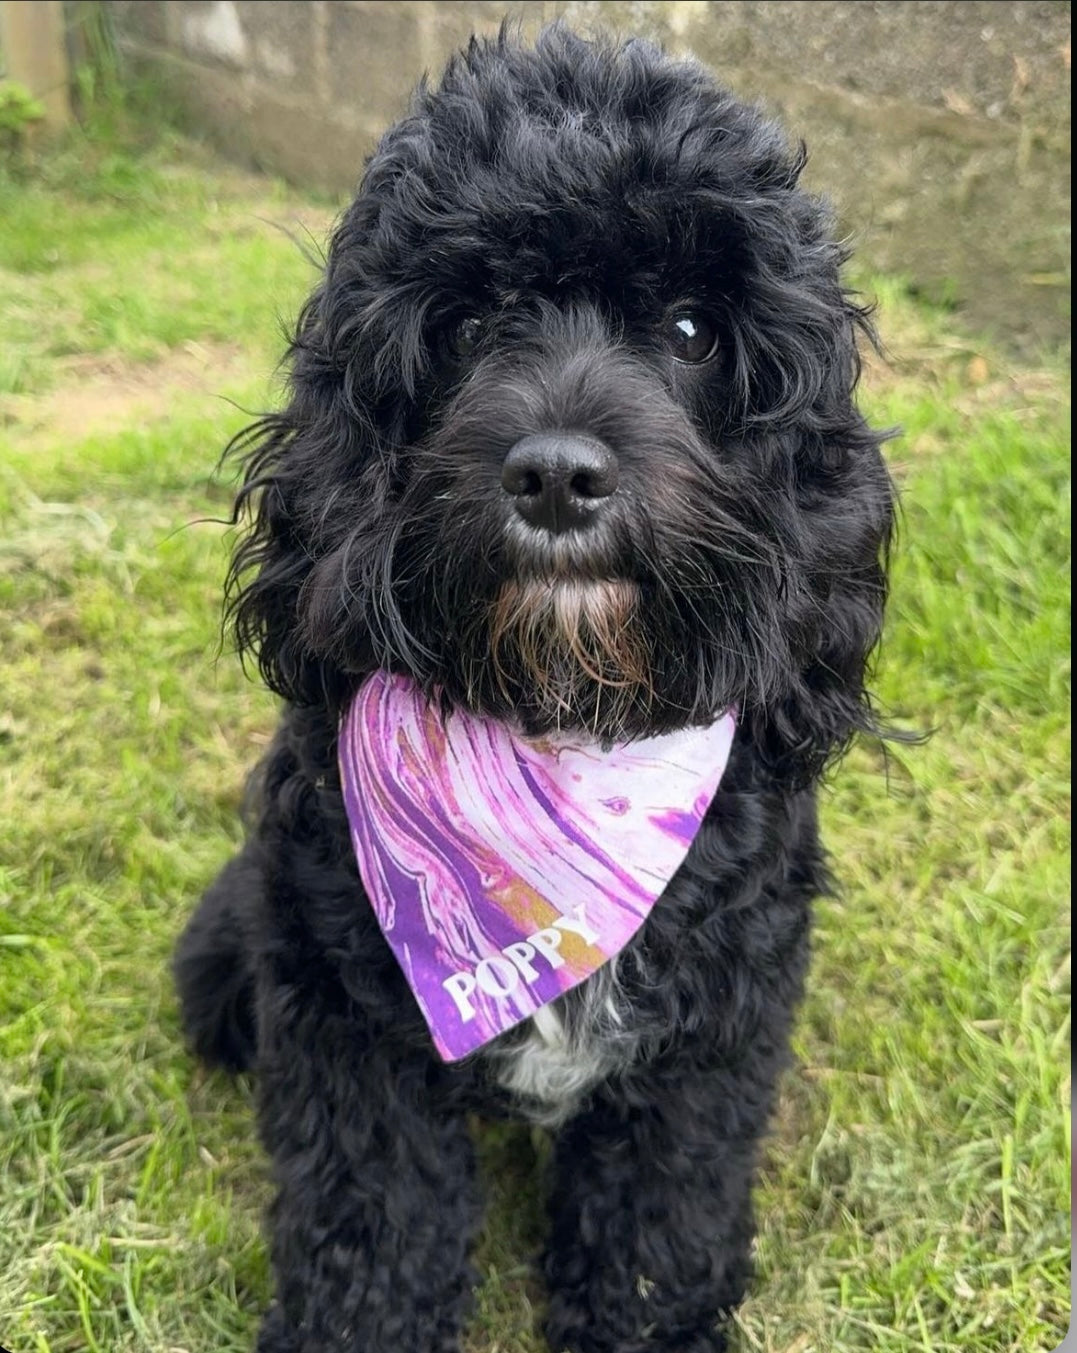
[838, 541]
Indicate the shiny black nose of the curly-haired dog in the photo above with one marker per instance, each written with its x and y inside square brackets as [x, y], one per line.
[559, 480]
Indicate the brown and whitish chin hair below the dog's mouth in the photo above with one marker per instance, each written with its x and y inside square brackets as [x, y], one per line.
[577, 646]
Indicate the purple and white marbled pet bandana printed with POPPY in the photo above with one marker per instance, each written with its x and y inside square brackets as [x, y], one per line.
[504, 871]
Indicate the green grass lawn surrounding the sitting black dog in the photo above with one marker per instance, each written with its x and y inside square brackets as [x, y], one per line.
[915, 1193]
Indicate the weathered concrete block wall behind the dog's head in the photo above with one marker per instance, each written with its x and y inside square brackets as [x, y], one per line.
[942, 131]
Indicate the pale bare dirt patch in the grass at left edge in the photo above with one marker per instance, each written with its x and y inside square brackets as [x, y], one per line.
[104, 392]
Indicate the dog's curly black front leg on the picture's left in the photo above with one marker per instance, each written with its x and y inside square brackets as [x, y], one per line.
[377, 1199]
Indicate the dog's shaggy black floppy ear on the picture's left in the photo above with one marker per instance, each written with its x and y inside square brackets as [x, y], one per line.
[305, 595]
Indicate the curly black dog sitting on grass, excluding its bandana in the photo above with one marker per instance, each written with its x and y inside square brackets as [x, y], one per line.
[593, 250]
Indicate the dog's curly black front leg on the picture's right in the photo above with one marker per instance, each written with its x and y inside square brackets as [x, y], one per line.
[653, 1221]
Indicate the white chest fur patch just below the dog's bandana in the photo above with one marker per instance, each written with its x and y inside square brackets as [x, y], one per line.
[570, 1047]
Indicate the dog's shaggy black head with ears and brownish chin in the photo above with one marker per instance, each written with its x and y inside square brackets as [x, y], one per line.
[572, 435]
